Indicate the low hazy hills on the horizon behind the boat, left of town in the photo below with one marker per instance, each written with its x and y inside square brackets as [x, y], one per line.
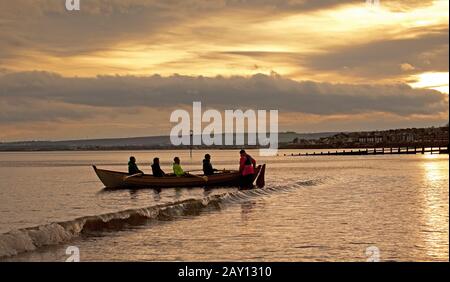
[151, 142]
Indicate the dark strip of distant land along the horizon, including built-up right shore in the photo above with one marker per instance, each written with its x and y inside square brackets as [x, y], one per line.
[408, 137]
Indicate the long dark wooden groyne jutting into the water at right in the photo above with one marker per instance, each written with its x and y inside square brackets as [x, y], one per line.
[378, 151]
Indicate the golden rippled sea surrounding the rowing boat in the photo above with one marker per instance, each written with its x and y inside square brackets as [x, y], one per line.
[342, 208]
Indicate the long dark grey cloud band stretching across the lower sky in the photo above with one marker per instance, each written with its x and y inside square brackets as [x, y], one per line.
[256, 92]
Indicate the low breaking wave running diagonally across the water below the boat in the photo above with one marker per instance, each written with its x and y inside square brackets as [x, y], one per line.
[31, 239]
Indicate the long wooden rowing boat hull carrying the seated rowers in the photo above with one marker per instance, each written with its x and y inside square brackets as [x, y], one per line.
[115, 179]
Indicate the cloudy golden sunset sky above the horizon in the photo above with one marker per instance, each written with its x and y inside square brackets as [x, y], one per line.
[118, 68]
